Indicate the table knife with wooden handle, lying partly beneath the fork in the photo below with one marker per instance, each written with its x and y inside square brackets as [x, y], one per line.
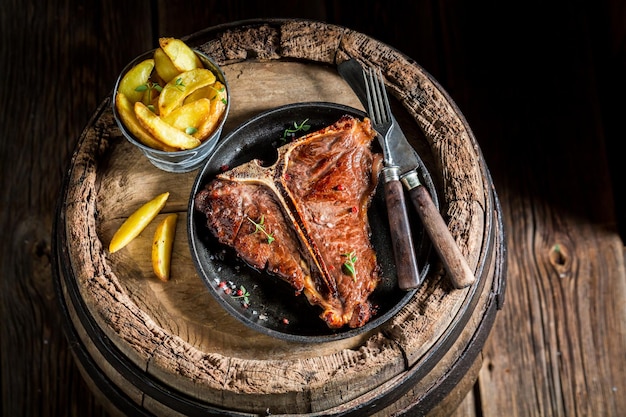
[403, 154]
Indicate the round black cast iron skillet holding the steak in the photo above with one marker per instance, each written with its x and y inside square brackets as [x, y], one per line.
[271, 306]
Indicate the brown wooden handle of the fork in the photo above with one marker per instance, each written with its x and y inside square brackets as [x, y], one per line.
[401, 239]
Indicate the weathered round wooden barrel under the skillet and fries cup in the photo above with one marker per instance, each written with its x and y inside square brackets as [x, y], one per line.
[167, 348]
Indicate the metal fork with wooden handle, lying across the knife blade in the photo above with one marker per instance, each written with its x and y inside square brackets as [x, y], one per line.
[383, 122]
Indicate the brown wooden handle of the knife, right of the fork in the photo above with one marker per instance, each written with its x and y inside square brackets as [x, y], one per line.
[453, 260]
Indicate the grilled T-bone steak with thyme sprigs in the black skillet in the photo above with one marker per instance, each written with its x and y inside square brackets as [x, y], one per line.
[305, 217]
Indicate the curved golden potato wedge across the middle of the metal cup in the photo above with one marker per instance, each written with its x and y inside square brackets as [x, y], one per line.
[174, 93]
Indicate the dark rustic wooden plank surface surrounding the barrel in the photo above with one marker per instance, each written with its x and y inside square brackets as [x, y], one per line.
[536, 89]
